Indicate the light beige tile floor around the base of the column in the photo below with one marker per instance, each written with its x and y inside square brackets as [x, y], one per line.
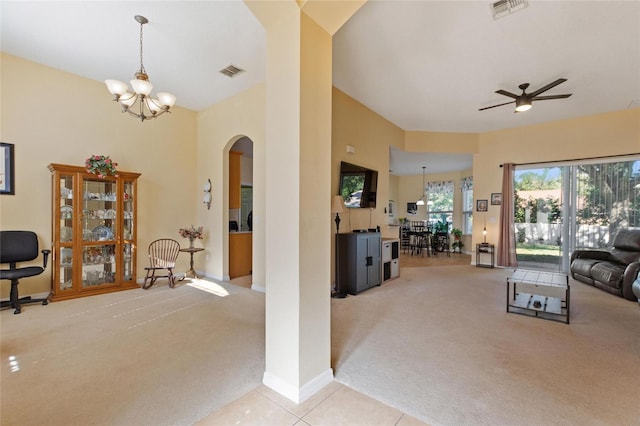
[333, 405]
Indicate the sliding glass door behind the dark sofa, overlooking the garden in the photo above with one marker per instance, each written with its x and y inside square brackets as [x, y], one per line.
[559, 208]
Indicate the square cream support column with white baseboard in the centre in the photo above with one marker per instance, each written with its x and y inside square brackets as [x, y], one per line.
[298, 199]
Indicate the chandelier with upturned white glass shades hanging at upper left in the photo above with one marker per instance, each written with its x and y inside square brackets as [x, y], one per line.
[140, 104]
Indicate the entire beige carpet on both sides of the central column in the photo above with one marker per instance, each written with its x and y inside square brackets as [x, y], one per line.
[435, 343]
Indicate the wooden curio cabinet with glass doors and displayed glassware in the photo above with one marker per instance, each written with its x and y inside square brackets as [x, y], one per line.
[94, 232]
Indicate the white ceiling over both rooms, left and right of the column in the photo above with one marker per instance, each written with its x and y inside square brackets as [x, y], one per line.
[423, 65]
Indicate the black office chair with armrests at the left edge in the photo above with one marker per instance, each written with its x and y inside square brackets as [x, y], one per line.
[20, 246]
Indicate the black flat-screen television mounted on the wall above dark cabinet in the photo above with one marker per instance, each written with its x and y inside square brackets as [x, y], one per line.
[358, 186]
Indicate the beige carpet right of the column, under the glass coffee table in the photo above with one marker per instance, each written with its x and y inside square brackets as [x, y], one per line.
[438, 344]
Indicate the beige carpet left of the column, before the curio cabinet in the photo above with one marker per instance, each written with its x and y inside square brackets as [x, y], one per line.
[139, 357]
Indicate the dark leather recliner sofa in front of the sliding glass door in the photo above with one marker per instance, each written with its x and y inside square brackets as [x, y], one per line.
[612, 270]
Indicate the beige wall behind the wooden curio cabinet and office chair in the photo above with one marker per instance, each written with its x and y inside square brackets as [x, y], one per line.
[56, 117]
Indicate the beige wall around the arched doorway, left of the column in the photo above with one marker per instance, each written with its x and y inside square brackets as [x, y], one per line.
[219, 127]
